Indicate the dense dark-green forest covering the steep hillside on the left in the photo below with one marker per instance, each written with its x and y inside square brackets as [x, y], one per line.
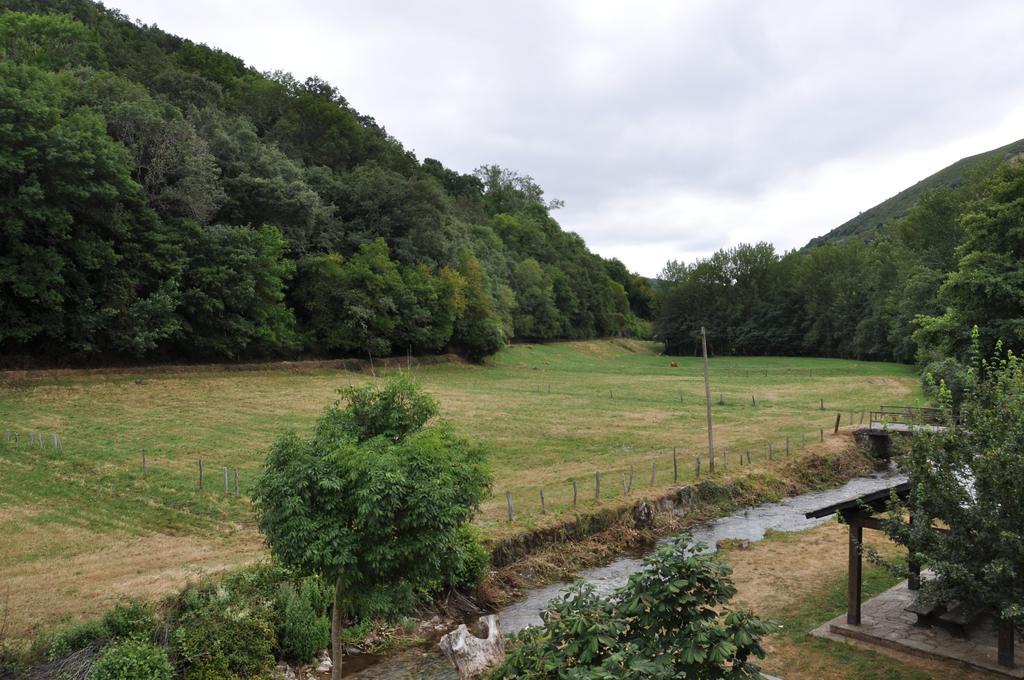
[163, 201]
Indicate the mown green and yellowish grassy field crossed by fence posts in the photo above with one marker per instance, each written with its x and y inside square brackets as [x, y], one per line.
[86, 522]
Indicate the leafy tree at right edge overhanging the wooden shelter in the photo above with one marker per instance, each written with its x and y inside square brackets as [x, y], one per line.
[964, 517]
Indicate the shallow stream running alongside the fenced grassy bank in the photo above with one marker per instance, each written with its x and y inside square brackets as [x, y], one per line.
[750, 525]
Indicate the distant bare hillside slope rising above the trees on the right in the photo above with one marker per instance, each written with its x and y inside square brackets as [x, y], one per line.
[870, 224]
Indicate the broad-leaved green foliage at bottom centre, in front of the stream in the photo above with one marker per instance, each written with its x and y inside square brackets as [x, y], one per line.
[670, 621]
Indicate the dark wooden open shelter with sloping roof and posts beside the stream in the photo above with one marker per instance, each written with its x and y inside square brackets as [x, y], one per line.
[861, 514]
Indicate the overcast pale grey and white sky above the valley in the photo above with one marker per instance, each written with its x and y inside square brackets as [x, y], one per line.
[670, 130]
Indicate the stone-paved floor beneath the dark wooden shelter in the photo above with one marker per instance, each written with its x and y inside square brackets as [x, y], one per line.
[885, 623]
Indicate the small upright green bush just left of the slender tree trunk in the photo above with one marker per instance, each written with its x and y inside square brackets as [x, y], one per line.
[304, 628]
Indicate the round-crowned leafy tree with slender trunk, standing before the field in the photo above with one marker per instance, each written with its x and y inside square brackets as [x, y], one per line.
[375, 499]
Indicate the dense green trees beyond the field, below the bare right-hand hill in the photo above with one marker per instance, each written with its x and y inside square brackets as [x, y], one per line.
[911, 291]
